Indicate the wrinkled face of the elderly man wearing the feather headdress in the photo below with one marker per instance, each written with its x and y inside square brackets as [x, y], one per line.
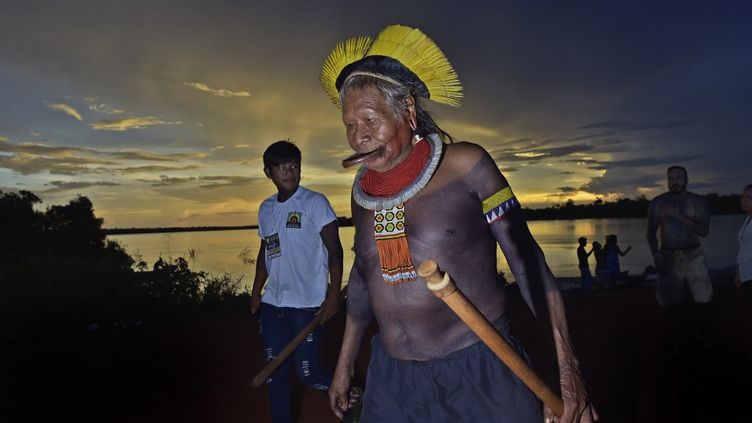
[371, 126]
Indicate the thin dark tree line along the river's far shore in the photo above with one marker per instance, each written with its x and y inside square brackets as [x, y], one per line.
[599, 209]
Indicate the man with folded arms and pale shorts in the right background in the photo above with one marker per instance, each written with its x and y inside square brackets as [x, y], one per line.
[682, 217]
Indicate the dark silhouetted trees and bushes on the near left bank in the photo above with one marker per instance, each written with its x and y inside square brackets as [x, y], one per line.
[57, 265]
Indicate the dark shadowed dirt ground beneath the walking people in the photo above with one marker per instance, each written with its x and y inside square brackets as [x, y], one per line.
[202, 371]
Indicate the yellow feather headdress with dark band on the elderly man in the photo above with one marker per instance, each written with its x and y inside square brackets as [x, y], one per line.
[399, 54]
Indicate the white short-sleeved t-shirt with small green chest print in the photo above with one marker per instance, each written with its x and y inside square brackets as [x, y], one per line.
[296, 258]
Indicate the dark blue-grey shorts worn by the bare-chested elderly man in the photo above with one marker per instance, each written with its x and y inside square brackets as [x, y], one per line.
[468, 385]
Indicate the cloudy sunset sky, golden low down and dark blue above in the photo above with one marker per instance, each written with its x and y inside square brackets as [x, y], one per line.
[159, 111]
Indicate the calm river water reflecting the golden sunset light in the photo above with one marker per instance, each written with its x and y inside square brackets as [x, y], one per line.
[235, 251]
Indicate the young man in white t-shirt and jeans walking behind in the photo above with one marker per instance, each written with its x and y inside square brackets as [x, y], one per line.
[300, 250]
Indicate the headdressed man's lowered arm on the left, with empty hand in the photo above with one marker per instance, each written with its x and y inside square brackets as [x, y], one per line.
[359, 315]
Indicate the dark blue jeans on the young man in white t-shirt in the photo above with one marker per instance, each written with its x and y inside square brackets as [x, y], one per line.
[279, 325]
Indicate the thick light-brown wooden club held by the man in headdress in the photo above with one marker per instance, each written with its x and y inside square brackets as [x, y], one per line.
[442, 285]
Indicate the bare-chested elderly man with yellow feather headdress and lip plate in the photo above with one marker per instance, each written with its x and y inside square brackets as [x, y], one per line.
[416, 198]
